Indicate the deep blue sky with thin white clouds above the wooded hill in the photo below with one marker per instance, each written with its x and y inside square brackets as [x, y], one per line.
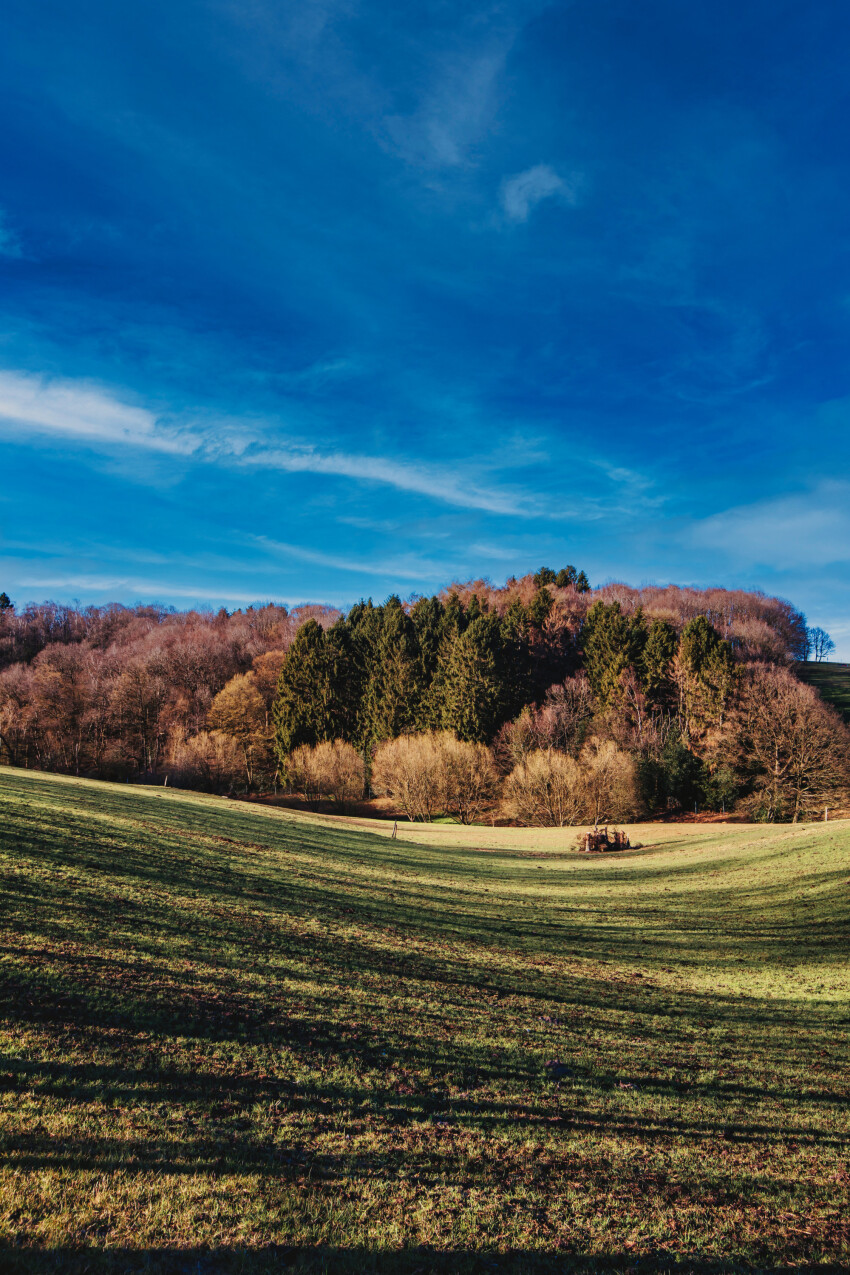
[326, 300]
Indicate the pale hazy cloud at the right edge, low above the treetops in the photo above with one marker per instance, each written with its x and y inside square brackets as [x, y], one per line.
[809, 530]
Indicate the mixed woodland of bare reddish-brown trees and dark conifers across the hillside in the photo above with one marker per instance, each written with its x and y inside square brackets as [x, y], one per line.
[542, 702]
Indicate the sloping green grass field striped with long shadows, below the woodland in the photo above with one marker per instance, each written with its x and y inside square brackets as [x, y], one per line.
[241, 1040]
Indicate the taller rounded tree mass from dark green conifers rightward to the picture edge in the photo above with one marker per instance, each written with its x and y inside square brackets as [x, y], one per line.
[639, 716]
